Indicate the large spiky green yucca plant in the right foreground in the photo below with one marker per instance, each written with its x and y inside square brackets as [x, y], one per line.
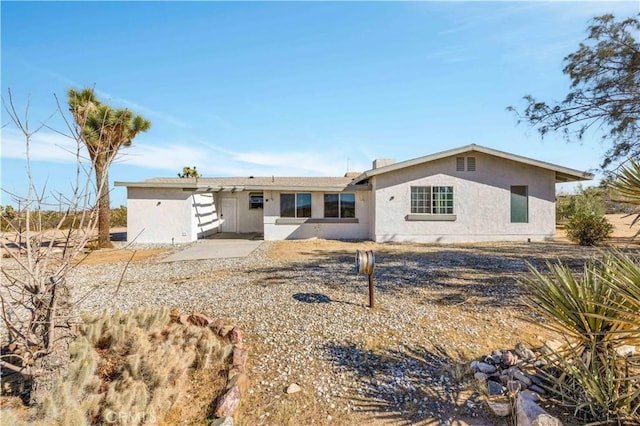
[596, 312]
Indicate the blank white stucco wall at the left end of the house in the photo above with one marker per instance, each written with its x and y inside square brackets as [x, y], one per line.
[158, 215]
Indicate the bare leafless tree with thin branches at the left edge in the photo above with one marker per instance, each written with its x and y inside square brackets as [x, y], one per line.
[35, 297]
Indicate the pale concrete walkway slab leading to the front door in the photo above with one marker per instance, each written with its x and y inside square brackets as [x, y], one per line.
[215, 249]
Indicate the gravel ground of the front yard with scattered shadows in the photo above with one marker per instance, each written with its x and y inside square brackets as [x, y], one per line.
[307, 322]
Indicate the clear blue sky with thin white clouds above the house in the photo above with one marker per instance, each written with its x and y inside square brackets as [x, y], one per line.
[290, 88]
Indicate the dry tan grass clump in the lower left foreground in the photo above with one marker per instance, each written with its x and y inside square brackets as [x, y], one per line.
[129, 368]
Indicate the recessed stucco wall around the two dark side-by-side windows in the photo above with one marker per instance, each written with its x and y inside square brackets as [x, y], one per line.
[344, 231]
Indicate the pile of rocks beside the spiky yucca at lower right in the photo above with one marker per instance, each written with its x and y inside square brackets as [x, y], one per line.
[512, 385]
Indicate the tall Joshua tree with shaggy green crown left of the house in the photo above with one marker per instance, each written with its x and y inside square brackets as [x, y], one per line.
[103, 130]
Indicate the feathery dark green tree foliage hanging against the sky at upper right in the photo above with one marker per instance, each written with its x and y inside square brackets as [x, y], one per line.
[604, 92]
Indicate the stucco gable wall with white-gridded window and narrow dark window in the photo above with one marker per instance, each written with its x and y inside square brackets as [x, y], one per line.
[481, 202]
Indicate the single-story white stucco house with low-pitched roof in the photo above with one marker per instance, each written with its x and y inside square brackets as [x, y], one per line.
[466, 194]
